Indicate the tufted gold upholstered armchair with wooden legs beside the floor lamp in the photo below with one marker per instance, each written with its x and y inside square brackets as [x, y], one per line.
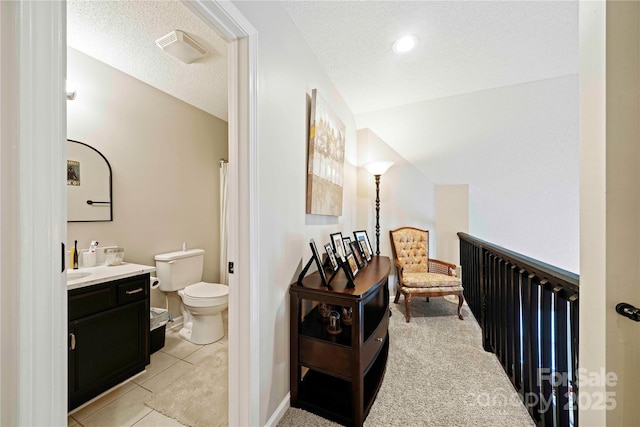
[419, 275]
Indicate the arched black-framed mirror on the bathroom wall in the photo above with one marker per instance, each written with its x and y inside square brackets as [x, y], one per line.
[88, 184]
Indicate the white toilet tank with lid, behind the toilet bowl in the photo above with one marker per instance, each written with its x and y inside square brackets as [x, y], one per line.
[177, 270]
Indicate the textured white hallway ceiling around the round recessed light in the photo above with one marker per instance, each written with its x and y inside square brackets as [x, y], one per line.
[465, 46]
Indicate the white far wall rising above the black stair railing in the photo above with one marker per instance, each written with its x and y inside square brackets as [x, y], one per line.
[517, 149]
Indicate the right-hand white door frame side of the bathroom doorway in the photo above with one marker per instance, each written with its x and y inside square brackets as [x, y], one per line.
[226, 19]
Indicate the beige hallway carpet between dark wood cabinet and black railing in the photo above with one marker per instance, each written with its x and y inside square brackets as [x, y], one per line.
[437, 375]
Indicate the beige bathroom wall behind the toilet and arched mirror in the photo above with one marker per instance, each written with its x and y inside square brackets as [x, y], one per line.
[164, 158]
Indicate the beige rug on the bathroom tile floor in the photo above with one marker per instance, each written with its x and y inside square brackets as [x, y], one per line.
[199, 398]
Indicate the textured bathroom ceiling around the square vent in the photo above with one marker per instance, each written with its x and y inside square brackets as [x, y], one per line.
[122, 34]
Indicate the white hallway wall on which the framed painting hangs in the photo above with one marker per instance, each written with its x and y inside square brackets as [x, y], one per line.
[287, 74]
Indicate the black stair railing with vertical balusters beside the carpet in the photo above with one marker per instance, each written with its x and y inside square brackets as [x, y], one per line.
[528, 312]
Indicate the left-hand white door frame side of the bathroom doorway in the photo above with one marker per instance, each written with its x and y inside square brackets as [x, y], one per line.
[33, 300]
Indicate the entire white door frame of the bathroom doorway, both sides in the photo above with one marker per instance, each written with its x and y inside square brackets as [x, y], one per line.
[33, 295]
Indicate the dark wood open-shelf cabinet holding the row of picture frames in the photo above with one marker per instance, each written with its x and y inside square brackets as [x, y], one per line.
[338, 376]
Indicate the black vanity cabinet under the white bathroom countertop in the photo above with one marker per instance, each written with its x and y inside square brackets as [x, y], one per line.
[108, 336]
